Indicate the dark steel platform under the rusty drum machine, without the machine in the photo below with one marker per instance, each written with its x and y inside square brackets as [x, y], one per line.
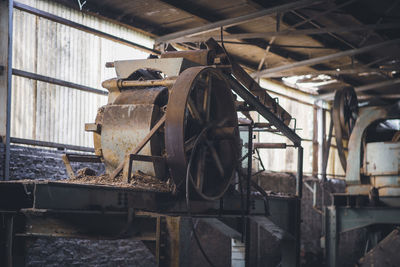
[56, 209]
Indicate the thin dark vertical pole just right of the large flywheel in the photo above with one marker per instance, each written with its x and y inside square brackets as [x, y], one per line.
[249, 172]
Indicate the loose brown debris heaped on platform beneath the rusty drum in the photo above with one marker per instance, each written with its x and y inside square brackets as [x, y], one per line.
[139, 180]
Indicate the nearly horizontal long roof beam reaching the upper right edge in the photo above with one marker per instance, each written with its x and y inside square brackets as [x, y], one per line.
[258, 35]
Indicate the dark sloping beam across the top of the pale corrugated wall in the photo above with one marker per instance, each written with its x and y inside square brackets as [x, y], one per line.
[81, 27]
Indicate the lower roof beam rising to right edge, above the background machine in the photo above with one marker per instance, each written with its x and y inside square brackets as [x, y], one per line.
[317, 60]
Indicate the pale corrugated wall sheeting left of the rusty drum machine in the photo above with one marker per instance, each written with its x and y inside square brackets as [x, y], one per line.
[47, 112]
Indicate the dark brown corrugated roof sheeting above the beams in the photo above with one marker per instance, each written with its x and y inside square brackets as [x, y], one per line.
[161, 17]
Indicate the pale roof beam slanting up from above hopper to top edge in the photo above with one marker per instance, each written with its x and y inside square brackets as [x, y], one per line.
[236, 21]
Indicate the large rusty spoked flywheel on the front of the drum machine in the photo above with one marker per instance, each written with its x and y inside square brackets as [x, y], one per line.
[201, 124]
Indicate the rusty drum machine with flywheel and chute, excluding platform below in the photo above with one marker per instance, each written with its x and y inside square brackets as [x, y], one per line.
[158, 108]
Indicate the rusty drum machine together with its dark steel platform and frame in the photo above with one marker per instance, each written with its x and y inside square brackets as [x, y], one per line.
[172, 119]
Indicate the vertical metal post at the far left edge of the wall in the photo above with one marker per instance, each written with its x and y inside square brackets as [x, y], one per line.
[6, 20]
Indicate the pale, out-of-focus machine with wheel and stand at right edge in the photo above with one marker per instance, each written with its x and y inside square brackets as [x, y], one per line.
[367, 139]
